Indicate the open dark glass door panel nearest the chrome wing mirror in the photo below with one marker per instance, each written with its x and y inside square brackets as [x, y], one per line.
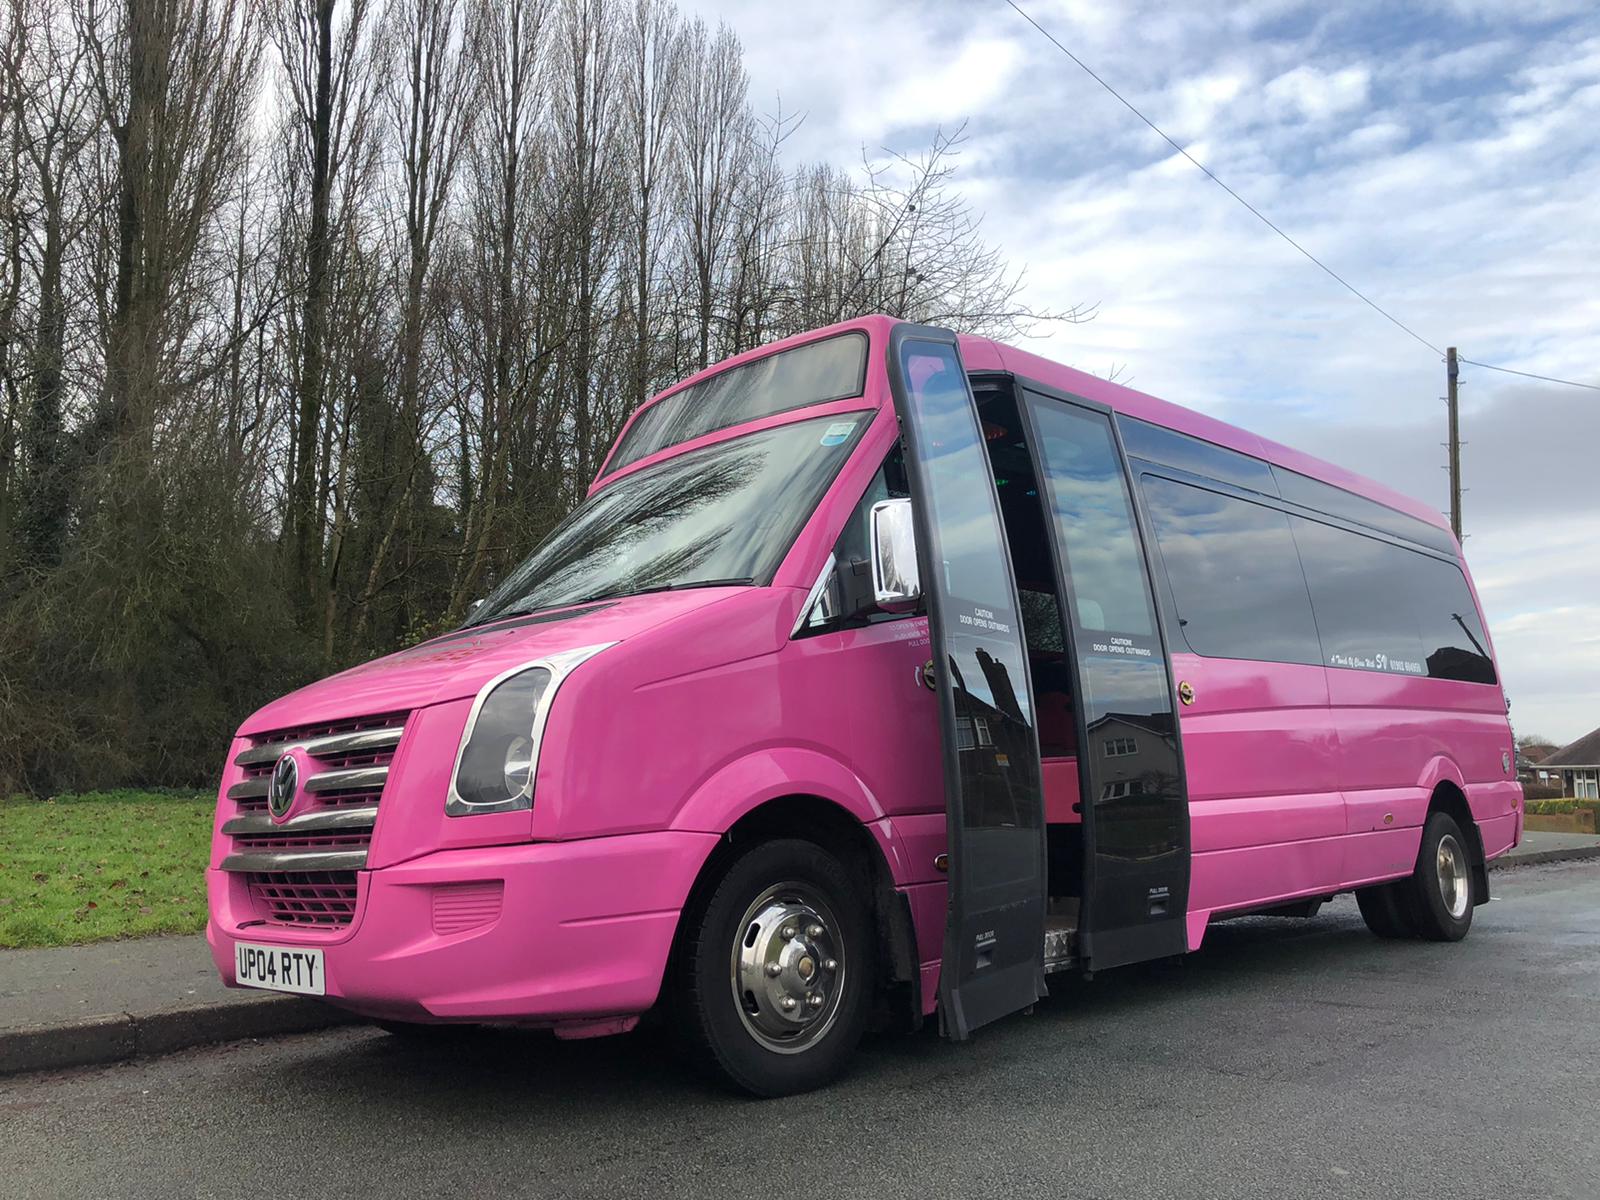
[994, 799]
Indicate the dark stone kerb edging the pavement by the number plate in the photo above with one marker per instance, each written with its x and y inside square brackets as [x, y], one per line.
[116, 1038]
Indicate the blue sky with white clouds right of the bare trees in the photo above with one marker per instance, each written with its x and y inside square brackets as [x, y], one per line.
[1442, 156]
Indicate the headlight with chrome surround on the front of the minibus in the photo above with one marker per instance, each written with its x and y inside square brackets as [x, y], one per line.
[500, 750]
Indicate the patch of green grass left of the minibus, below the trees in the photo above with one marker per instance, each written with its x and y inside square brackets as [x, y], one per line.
[103, 865]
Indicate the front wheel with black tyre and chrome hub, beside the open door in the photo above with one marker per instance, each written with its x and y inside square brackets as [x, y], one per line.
[777, 1015]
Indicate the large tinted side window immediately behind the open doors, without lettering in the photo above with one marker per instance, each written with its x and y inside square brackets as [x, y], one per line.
[1234, 572]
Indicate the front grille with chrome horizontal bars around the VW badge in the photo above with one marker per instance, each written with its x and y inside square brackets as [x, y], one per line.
[302, 871]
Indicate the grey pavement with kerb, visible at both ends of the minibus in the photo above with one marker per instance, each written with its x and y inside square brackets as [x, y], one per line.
[154, 996]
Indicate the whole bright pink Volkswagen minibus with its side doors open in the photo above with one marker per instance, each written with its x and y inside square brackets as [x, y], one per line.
[882, 674]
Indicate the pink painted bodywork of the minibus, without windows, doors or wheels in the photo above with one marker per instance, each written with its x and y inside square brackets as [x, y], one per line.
[706, 721]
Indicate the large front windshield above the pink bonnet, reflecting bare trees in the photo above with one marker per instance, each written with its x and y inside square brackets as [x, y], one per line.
[726, 514]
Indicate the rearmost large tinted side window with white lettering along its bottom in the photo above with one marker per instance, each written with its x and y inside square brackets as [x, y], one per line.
[1382, 607]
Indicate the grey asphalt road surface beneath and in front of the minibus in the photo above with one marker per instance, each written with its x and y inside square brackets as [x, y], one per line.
[1286, 1060]
